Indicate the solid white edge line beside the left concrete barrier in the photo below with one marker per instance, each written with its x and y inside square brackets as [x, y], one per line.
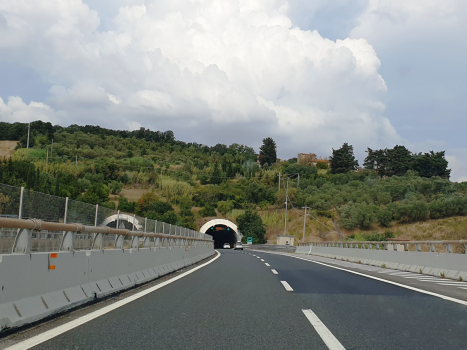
[52, 333]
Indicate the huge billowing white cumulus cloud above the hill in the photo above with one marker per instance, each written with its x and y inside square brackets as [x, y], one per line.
[212, 71]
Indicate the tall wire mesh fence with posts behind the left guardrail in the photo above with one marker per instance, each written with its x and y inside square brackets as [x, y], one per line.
[21, 203]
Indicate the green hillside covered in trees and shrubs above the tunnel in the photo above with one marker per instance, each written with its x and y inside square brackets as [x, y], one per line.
[154, 175]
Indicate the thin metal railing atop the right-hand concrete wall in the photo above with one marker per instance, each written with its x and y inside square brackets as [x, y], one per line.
[446, 246]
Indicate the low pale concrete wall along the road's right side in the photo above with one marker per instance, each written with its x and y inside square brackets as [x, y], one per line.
[436, 264]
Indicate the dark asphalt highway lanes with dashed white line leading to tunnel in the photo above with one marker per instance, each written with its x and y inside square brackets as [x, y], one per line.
[239, 302]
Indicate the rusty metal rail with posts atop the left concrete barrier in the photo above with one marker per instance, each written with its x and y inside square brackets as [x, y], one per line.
[26, 228]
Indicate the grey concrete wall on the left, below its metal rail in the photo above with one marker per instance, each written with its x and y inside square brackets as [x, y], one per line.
[29, 290]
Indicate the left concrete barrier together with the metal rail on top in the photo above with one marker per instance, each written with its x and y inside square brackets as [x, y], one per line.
[37, 285]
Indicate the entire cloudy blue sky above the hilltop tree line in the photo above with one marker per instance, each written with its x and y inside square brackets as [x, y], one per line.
[373, 73]
